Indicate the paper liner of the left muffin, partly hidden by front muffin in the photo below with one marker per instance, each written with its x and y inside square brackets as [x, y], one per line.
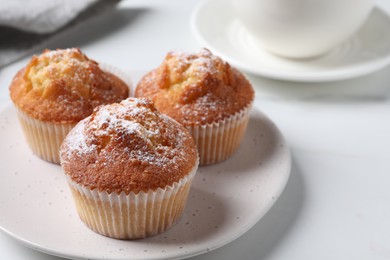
[44, 138]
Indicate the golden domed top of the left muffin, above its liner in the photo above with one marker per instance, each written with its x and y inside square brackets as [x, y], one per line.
[64, 86]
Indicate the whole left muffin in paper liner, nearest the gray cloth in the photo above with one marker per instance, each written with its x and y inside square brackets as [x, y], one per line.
[55, 91]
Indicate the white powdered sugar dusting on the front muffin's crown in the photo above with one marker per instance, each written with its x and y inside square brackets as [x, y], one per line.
[132, 129]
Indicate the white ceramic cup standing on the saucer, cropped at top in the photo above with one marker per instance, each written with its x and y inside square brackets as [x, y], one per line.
[301, 28]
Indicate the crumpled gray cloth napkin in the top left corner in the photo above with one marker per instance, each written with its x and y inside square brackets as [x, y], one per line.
[26, 25]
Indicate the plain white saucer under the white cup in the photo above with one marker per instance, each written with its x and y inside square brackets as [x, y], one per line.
[214, 24]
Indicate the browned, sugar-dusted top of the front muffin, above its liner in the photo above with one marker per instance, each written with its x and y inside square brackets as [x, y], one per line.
[128, 146]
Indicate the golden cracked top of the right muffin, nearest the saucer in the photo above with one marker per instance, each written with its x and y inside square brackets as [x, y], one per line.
[196, 88]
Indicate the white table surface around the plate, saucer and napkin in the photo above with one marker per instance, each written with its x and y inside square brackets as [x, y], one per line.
[336, 204]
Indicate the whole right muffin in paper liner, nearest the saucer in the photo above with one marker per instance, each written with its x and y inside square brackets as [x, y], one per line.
[206, 95]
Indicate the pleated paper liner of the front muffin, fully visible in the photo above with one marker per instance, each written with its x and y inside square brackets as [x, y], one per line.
[132, 216]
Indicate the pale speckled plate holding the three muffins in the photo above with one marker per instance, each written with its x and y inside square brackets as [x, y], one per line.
[225, 201]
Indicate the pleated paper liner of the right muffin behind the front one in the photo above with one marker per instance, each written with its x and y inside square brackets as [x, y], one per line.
[216, 142]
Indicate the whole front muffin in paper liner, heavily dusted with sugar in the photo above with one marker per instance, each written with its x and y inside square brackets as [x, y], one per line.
[130, 169]
